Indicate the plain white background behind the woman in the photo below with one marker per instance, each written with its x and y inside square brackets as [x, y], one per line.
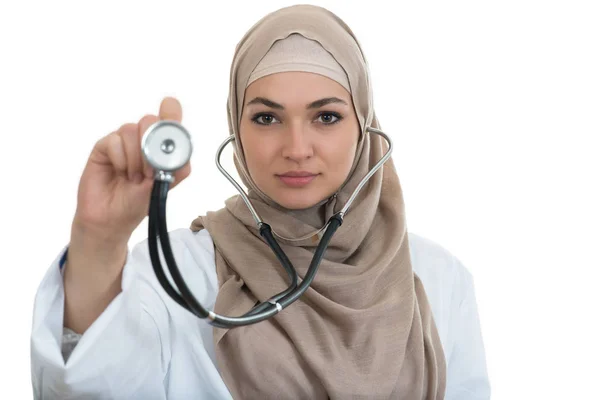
[495, 112]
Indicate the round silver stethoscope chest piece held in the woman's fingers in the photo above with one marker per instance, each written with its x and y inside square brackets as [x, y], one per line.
[167, 146]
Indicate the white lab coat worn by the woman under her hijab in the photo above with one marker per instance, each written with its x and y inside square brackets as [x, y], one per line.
[145, 346]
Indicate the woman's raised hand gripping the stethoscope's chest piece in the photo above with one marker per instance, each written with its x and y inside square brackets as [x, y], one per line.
[115, 187]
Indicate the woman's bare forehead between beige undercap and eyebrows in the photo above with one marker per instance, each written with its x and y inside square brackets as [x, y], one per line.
[296, 87]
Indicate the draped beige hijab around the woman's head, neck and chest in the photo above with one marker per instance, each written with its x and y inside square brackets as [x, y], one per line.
[364, 329]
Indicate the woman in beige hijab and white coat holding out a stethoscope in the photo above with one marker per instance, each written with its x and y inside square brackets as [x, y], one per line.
[389, 314]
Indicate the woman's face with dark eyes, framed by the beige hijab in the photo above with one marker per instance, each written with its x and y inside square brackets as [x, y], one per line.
[299, 133]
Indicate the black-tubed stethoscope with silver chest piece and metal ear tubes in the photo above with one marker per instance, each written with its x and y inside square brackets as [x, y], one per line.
[167, 146]
